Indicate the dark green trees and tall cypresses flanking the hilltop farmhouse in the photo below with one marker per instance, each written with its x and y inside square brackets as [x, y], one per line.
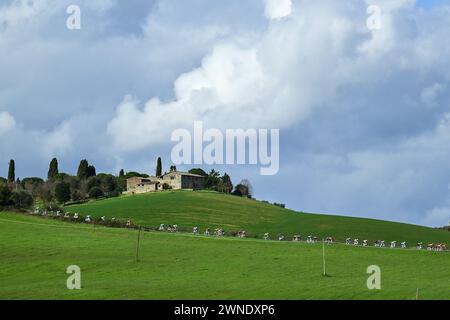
[61, 188]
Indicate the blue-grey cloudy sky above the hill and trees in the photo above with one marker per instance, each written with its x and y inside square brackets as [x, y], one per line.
[364, 115]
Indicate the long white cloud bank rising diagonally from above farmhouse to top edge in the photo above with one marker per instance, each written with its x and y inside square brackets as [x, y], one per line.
[249, 80]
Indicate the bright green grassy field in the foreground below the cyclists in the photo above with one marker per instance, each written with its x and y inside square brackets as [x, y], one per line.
[35, 252]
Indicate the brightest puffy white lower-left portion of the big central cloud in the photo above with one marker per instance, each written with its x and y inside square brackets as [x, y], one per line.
[230, 82]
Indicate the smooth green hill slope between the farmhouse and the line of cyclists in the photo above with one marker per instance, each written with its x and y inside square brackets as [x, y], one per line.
[209, 209]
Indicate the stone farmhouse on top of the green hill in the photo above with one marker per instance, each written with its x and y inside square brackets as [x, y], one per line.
[176, 180]
